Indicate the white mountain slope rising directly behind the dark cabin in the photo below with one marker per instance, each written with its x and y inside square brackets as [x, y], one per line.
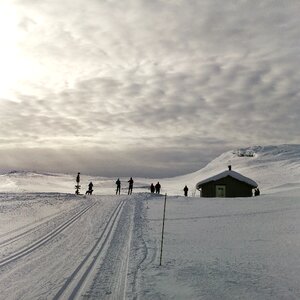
[272, 167]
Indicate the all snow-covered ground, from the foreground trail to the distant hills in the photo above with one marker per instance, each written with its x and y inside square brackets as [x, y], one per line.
[55, 245]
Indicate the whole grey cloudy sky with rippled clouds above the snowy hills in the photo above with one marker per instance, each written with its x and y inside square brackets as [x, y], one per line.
[145, 88]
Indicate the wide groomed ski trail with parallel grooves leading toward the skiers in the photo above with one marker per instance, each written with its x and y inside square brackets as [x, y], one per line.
[110, 268]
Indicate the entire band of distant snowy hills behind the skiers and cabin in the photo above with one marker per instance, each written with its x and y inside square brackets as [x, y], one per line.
[272, 167]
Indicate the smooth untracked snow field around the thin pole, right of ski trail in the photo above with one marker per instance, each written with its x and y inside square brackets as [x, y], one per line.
[224, 248]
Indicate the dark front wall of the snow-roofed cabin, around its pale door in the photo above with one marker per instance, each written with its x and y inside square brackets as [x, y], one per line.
[234, 188]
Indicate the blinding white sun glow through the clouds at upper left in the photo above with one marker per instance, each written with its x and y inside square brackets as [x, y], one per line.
[26, 67]
